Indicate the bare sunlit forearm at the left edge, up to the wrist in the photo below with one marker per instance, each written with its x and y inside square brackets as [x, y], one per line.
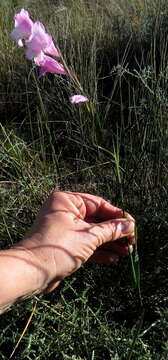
[21, 275]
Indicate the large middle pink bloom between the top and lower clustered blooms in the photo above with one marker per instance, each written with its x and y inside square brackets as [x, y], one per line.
[40, 41]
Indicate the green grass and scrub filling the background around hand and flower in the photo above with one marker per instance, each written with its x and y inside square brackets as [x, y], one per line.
[118, 50]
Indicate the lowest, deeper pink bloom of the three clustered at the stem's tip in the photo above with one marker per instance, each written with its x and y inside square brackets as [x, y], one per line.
[48, 64]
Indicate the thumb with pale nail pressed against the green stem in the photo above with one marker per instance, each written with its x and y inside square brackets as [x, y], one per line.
[113, 229]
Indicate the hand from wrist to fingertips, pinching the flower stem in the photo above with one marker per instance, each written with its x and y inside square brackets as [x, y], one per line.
[73, 228]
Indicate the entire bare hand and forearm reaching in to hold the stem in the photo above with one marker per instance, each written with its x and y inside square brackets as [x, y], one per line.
[70, 229]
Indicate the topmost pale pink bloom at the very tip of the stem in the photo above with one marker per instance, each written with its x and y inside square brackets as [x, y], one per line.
[23, 27]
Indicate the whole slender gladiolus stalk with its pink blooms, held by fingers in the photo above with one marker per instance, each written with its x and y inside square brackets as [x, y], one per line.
[37, 43]
